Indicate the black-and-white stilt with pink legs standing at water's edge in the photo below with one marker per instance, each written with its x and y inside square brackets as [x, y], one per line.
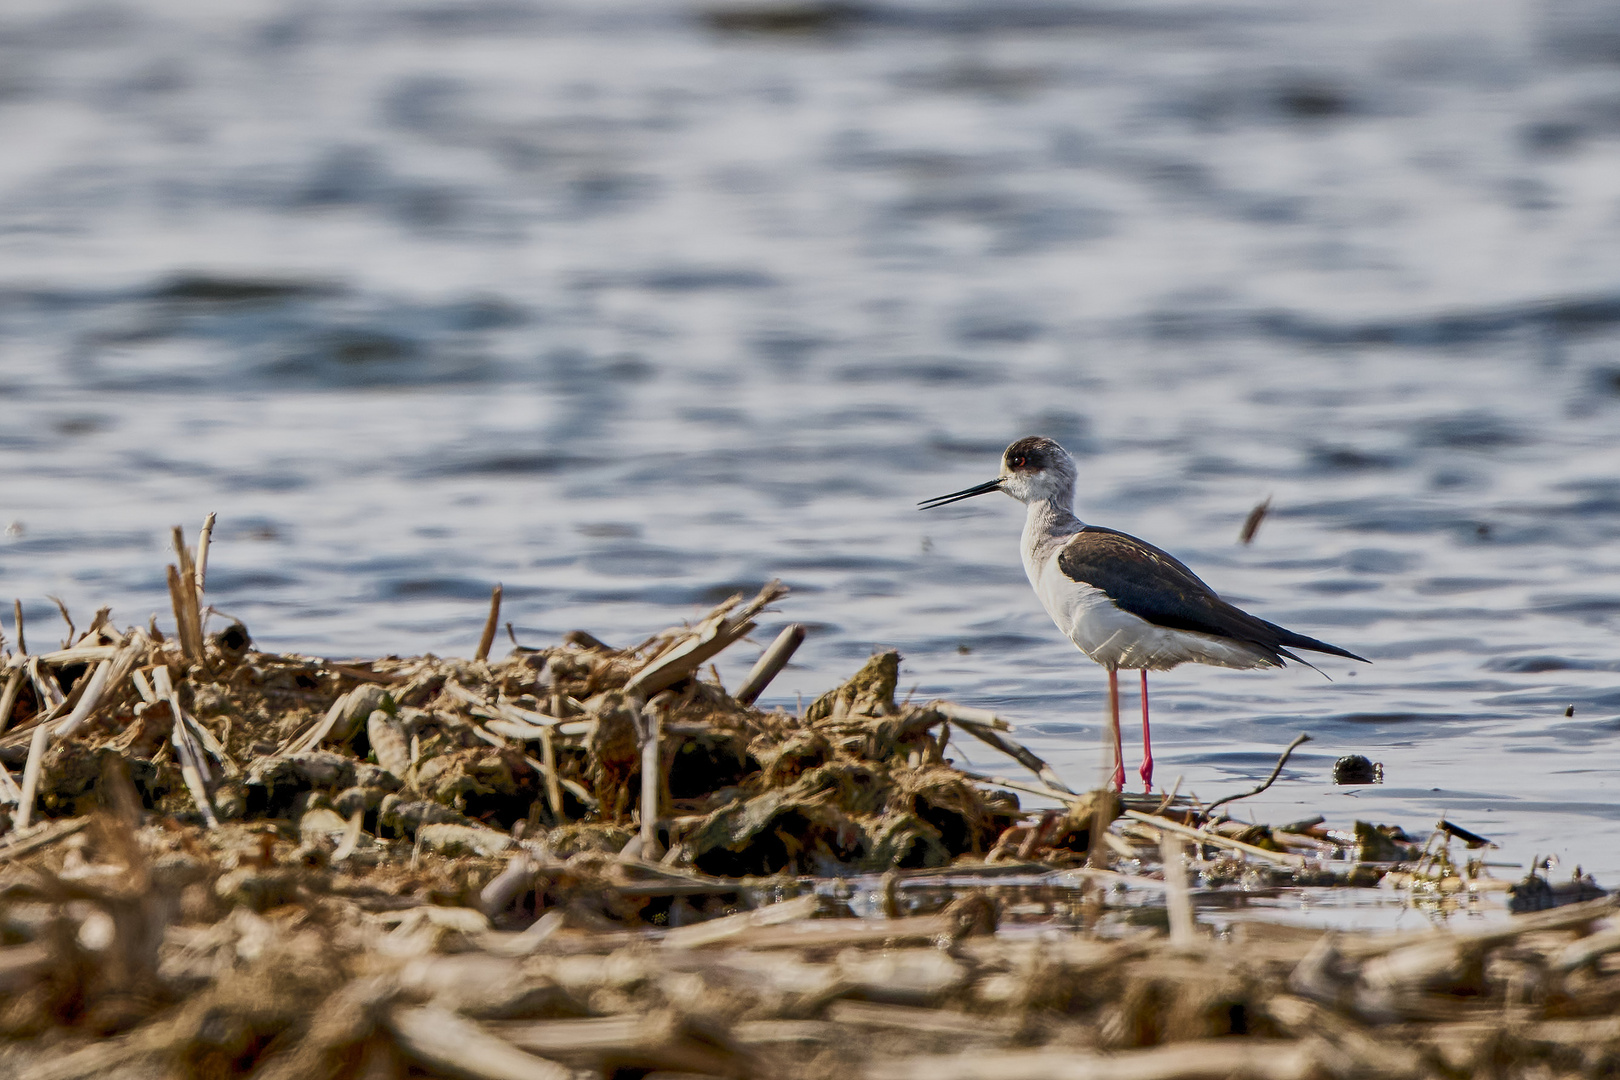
[1123, 602]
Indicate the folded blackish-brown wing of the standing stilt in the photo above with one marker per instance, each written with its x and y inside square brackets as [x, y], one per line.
[1157, 589]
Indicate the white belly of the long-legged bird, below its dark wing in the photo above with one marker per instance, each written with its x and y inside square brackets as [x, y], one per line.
[1117, 639]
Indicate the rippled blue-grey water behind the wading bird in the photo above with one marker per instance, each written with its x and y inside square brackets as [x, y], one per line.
[629, 307]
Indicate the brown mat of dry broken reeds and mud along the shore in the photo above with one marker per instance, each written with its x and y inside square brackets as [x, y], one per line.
[597, 862]
